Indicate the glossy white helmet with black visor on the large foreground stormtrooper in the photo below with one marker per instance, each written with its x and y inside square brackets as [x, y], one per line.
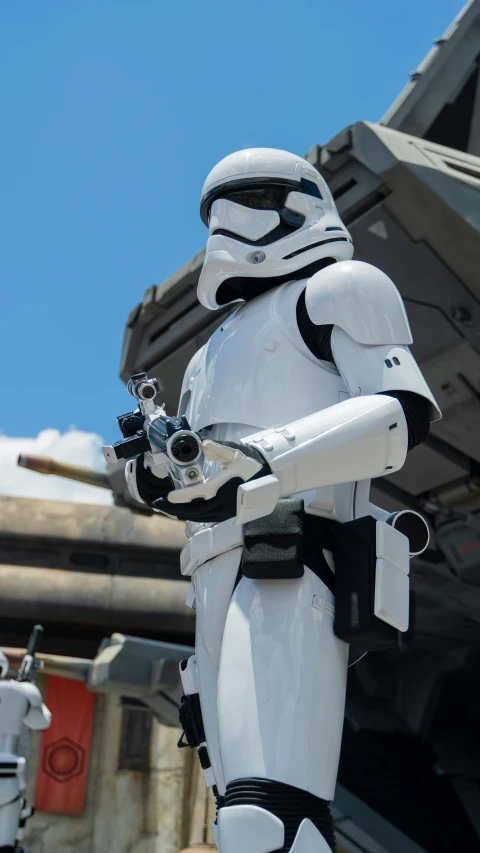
[271, 218]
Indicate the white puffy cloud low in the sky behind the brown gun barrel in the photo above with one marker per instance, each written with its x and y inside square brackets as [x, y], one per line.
[79, 448]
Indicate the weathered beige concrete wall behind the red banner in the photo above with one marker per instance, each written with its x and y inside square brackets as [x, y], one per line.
[161, 811]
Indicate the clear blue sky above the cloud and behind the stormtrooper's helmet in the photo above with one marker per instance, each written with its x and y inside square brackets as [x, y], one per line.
[113, 112]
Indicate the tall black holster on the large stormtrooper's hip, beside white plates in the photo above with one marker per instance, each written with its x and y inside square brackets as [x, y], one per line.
[354, 554]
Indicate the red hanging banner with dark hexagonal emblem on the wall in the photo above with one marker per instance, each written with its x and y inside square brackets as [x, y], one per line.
[65, 748]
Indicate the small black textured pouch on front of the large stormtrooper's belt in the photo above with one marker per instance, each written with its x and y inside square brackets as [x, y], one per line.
[272, 547]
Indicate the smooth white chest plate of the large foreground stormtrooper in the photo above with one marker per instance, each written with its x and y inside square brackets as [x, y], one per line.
[256, 369]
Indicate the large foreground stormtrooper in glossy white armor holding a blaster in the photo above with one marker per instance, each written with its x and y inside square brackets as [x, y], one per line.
[306, 392]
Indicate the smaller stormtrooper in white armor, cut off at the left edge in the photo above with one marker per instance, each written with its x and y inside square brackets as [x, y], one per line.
[20, 704]
